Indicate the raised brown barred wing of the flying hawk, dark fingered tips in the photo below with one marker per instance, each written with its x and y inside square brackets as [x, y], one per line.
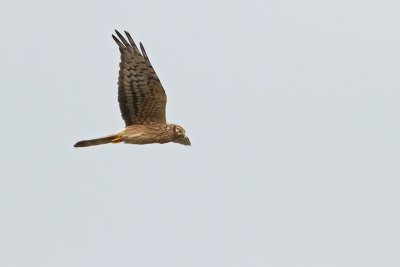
[141, 97]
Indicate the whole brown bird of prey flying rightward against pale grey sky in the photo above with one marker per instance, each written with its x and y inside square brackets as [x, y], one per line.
[142, 102]
